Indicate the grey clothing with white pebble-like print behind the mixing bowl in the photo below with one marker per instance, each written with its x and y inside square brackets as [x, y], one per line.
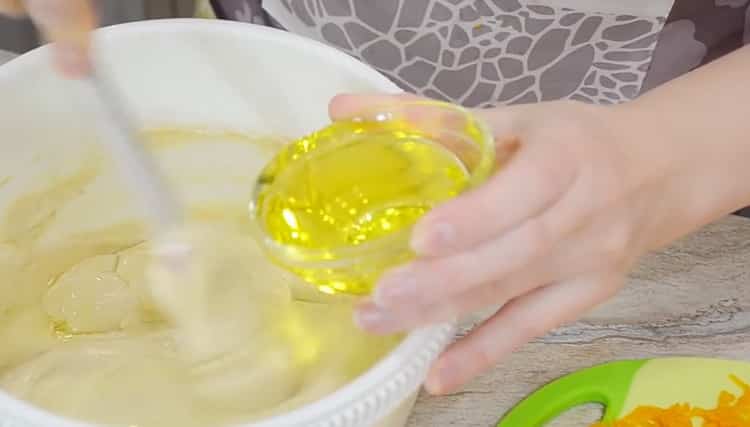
[482, 53]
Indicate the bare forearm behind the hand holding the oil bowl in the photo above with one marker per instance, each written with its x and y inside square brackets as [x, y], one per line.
[697, 127]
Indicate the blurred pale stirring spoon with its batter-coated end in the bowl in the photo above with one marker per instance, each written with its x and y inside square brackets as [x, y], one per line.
[187, 276]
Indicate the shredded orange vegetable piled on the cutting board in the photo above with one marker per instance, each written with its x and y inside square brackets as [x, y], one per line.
[730, 411]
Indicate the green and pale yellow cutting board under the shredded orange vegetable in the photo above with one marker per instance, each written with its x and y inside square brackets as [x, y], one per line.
[625, 385]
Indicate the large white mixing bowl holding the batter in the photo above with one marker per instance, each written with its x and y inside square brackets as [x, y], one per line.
[208, 74]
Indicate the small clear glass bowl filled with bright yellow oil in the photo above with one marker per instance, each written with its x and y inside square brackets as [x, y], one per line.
[337, 206]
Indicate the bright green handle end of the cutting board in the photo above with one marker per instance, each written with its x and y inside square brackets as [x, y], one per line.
[606, 384]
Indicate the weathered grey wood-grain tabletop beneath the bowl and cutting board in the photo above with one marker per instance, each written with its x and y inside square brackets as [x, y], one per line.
[692, 299]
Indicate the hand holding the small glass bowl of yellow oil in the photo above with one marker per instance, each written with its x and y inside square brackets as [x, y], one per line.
[553, 234]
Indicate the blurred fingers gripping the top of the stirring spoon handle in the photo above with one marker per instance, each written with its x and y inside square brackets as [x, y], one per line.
[67, 23]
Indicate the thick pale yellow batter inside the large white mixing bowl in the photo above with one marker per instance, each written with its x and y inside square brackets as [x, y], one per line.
[94, 326]
